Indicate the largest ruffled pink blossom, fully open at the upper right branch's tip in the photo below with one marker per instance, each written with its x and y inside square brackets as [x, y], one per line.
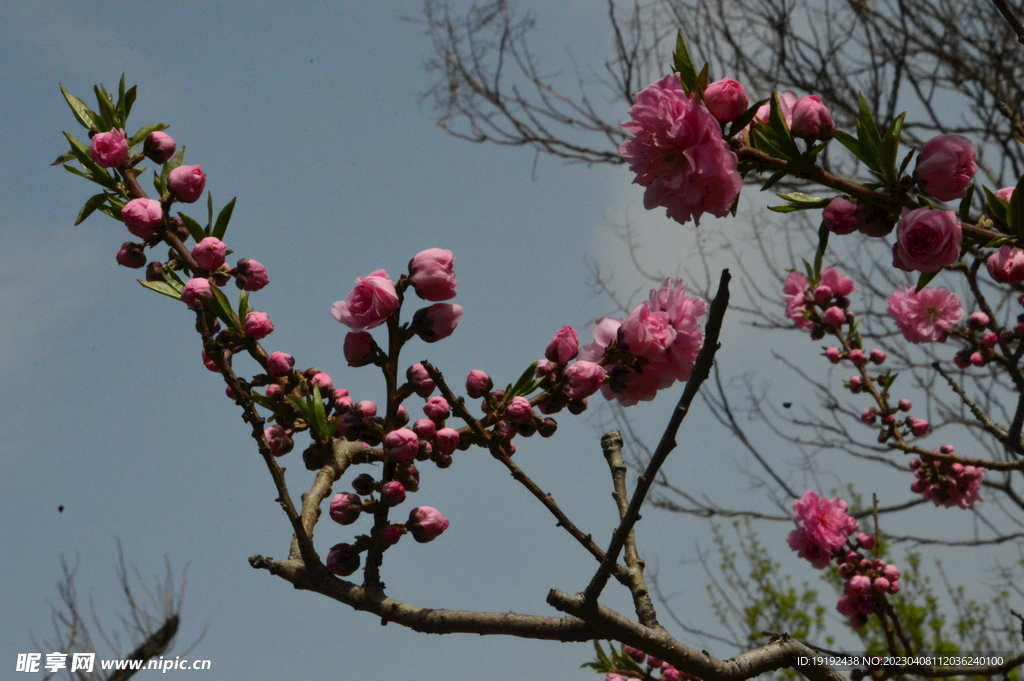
[679, 155]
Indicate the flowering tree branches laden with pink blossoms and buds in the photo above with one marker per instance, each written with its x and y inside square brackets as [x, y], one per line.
[694, 144]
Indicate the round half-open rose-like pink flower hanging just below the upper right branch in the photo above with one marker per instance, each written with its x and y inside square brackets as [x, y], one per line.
[927, 240]
